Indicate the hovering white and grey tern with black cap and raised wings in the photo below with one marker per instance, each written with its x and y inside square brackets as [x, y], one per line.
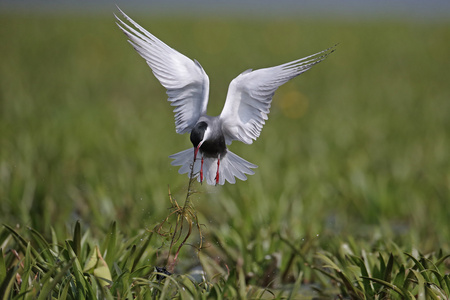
[246, 108]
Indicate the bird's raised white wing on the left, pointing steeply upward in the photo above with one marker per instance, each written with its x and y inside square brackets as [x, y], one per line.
[185, 80]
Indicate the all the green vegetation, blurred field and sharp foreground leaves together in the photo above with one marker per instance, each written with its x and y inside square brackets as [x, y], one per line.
[350, 198]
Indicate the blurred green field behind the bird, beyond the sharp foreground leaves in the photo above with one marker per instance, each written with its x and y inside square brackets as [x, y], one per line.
[356, 147]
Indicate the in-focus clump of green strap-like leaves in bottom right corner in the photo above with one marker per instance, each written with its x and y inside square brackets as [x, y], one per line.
[382, 275]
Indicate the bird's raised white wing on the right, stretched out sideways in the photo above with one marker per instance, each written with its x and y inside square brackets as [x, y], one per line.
[250, 95]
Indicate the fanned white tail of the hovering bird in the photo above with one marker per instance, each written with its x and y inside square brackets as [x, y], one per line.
[231, 166]
